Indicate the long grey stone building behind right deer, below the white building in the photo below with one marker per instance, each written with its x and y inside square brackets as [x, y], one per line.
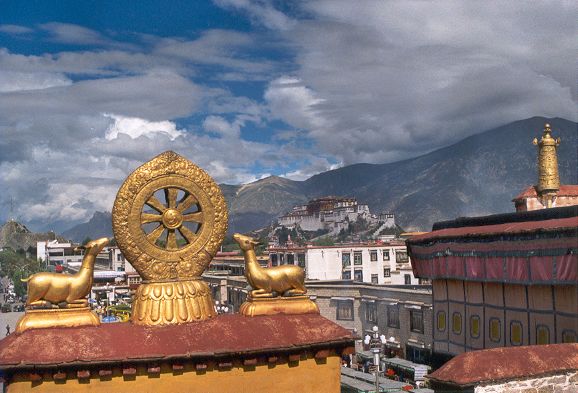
[402, 313]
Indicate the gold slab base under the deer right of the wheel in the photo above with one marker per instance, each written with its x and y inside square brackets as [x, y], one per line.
[278, 305]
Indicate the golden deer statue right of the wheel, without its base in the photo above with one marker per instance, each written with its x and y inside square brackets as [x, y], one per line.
[286, 280]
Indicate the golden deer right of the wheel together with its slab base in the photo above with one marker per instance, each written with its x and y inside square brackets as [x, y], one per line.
[272, 288]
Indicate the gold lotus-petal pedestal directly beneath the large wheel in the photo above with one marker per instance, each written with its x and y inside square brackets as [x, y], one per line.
[173, 302]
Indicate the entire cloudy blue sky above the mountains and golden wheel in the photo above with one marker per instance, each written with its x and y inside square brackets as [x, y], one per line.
[246, 89]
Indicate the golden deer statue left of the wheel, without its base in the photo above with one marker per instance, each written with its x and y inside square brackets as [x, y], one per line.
[45, 289]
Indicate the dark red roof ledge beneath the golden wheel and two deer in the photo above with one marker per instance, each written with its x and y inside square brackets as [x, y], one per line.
[223, 336]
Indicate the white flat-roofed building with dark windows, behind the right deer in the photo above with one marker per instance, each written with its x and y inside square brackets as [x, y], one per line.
[377, 263]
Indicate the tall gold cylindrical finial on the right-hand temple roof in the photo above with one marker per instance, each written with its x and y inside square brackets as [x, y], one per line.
[548, 176]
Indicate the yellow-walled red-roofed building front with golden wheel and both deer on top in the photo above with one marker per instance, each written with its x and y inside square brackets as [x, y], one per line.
[169, 219]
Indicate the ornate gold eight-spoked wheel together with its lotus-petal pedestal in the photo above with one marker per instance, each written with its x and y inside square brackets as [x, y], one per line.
[151, 221]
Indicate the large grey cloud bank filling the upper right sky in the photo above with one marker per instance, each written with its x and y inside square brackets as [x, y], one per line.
[380, 81]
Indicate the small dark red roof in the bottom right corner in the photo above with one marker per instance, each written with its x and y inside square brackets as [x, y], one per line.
[502, 364]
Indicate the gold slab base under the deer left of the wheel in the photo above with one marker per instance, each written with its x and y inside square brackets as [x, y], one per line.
[57, 317]
